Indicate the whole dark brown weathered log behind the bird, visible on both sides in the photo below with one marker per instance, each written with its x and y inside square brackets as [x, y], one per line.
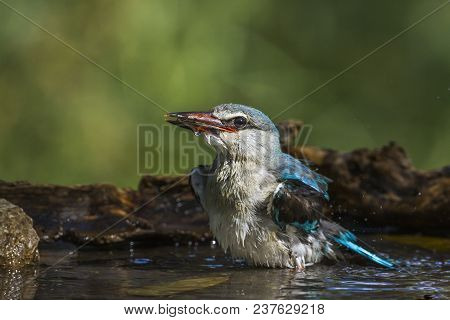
[371, 188]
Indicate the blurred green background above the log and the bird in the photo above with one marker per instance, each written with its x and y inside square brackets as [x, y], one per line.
[62, 120]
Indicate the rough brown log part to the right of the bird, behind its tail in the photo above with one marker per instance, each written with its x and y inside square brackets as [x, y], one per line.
[381, 188]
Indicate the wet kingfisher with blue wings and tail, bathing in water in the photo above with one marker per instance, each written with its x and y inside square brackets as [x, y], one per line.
[264, 206]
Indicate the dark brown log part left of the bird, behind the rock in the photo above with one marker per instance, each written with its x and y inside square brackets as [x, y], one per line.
[105, 214]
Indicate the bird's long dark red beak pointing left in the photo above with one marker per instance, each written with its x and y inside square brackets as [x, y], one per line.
[198, 121]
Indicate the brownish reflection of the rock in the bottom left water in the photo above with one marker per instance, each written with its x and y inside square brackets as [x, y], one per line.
[18, 284]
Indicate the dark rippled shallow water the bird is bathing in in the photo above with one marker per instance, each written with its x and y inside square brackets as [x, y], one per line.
[204, 272]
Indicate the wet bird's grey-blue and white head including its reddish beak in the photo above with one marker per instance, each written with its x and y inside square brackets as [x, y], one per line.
[238, 131]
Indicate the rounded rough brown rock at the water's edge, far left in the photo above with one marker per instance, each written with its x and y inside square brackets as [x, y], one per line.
[18, 239]
